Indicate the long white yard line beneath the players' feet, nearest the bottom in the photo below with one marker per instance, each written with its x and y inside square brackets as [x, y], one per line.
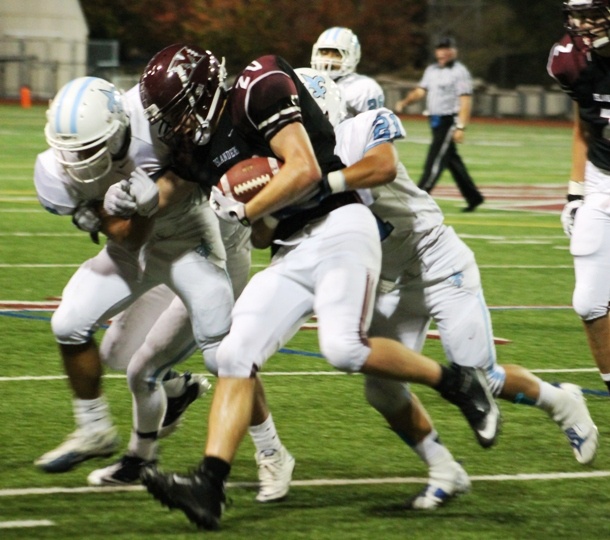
[519, 477]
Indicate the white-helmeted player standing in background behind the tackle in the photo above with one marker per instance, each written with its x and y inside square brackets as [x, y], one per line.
[337, 52]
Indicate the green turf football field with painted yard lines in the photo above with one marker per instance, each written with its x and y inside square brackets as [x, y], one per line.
[352, 473]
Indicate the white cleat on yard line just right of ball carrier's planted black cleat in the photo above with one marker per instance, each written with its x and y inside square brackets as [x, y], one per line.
[274, 474]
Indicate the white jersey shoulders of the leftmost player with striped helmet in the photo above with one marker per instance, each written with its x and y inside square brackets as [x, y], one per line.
[60, 194]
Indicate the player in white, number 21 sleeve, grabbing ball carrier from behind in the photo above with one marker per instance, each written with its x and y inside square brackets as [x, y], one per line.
[428, 273]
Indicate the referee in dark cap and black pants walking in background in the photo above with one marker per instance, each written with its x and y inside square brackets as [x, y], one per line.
[447, 85]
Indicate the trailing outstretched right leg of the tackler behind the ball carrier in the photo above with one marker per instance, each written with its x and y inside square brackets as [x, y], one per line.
[458, 307]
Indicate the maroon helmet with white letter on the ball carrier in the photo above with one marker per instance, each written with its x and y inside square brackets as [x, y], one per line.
[183, 88]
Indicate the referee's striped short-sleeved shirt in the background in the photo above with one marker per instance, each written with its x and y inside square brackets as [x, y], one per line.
[444, 86]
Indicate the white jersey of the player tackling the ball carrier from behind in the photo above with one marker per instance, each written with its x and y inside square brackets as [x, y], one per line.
[415, 220]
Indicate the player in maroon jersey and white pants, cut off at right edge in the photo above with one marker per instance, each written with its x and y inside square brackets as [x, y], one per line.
[580, 63]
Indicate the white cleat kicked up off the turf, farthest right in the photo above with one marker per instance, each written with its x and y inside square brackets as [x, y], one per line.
[572, 416]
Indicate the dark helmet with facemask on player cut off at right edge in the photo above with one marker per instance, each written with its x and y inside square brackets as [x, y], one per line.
[588, 19]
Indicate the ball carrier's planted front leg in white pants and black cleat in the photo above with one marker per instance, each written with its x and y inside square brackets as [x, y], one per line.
[268, 313]
